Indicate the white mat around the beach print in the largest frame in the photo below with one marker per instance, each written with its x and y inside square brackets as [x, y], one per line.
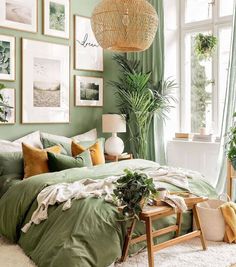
[34, 49]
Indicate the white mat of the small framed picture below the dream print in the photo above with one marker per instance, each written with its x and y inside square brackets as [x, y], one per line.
[78, 101]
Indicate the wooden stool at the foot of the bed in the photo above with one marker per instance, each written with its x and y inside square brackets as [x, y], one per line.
[151, 213]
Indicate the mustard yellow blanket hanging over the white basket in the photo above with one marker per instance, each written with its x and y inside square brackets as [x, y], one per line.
[229, 213]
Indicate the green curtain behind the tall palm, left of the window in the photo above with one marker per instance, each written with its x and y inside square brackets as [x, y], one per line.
[153, 60]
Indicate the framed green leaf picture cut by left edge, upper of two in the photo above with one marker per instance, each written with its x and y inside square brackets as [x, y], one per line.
[7, 58]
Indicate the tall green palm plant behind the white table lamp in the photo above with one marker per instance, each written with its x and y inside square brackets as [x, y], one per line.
[138, 99]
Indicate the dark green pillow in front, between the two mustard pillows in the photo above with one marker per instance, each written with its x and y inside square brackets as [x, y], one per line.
[57, 162]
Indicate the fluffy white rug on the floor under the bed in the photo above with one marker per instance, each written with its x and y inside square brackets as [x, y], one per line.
[184, 255]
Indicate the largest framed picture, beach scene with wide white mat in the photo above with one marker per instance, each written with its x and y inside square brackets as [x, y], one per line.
[45, 82]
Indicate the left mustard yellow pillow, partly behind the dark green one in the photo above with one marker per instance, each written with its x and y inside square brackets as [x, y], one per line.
[36, 160]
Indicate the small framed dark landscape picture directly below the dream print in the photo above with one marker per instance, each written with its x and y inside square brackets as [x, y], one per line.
[88, 91]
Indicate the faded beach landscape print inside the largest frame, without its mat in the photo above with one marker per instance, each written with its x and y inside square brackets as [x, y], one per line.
[46, 82]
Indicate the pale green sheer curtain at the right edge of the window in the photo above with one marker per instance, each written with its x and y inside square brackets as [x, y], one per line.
[229, 109]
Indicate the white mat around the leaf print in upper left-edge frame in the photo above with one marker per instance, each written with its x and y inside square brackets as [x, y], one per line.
[11, 76]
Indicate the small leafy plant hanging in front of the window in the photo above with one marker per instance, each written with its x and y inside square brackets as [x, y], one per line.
[205, 45]
